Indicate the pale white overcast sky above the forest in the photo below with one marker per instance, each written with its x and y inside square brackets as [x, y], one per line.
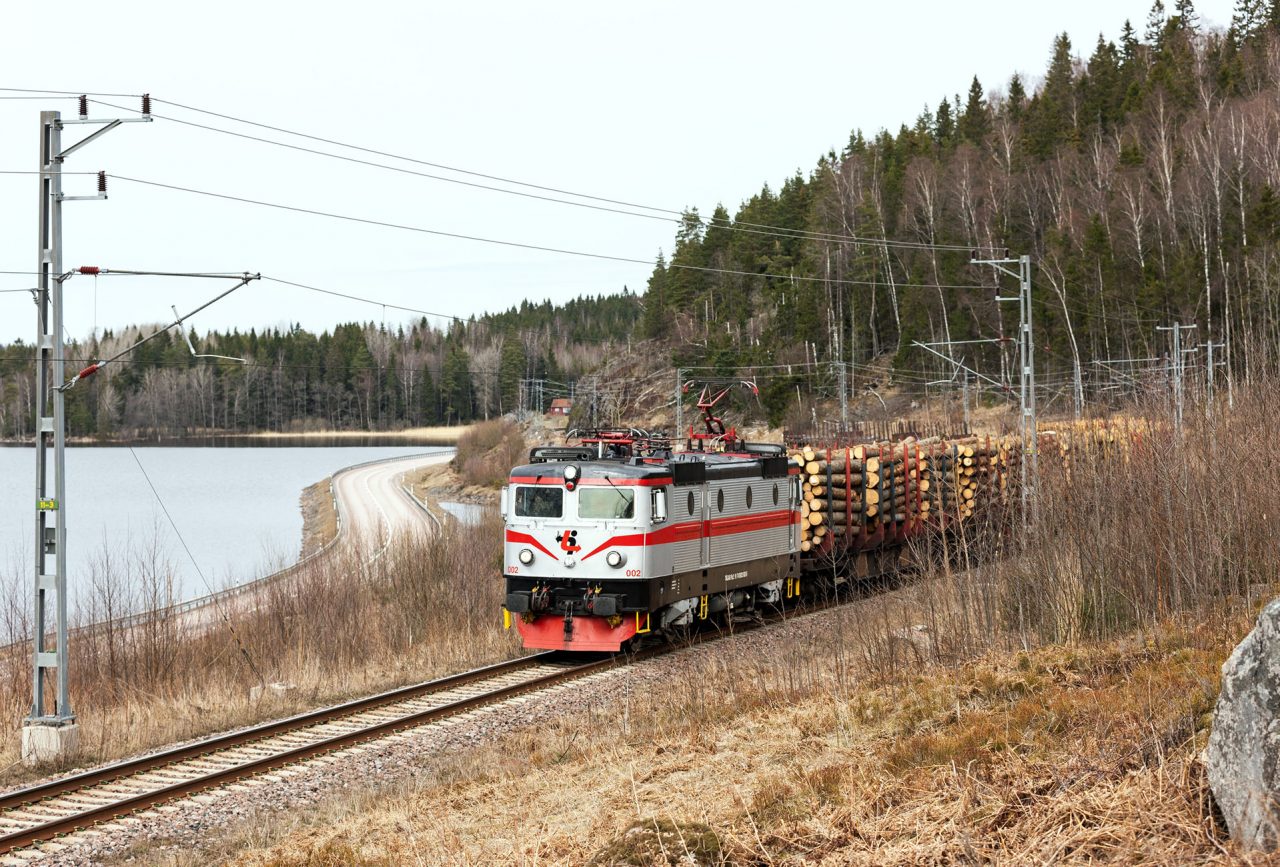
[659, 104]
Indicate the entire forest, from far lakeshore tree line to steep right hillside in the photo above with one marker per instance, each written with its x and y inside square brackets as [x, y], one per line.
[1144, 180]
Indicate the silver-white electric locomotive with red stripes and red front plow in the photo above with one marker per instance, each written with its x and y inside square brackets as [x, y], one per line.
[623, 536]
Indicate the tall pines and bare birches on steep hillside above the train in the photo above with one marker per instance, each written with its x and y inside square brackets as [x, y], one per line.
[1141, 181]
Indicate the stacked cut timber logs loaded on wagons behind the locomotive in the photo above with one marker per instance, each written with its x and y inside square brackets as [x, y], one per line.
[870, 494]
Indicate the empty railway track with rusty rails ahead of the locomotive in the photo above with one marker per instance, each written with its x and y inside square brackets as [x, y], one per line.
[79, 802]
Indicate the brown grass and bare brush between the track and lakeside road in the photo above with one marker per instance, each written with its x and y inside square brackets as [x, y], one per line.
[337, 631]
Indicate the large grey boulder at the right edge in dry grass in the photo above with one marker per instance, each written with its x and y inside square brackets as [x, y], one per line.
[1245, 746]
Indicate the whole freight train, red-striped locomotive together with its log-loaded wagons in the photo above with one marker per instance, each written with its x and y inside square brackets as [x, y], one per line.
[621, 536]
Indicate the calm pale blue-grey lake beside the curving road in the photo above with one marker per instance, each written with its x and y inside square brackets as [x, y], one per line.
[236, 506]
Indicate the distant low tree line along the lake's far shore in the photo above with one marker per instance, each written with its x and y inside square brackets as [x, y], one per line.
[360, 377]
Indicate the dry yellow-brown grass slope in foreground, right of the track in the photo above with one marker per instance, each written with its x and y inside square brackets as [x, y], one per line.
[1055, 756]
